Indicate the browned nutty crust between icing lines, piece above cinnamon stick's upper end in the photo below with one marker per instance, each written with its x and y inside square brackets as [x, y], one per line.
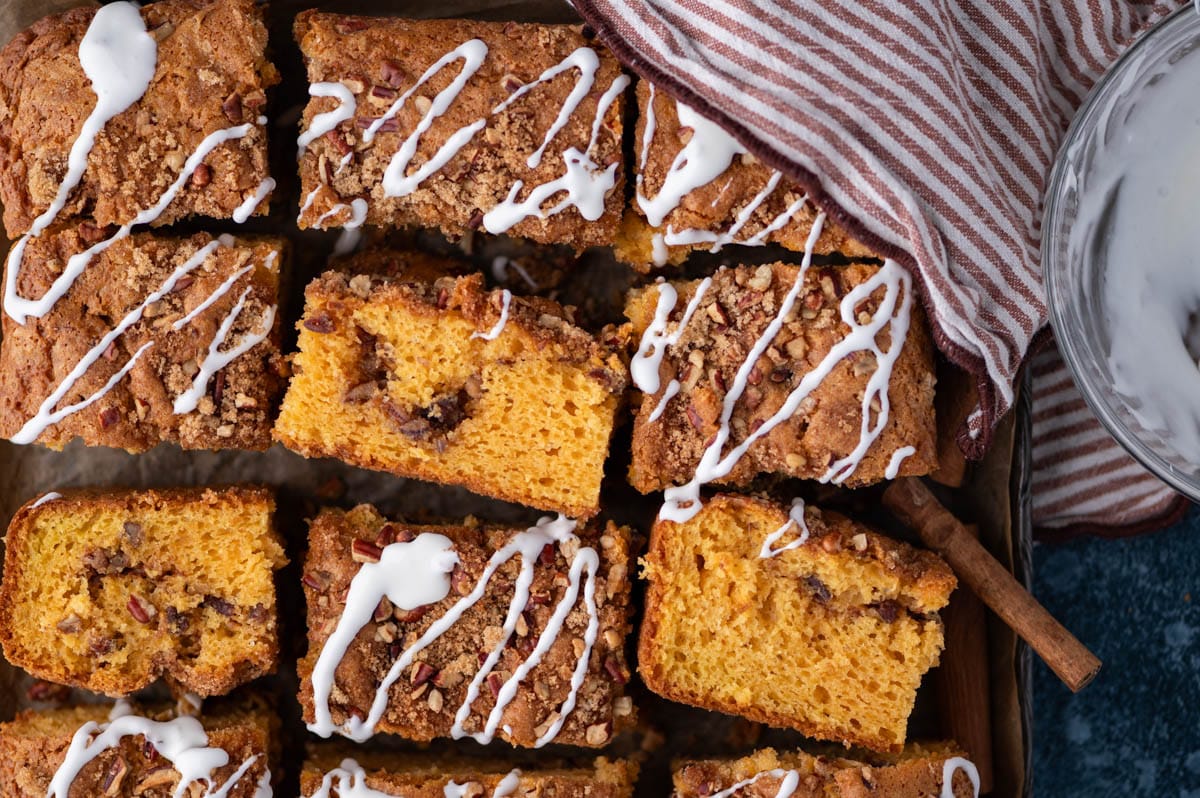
[734, 313]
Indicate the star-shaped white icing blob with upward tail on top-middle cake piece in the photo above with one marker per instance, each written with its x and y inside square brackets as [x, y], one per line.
[585, 183]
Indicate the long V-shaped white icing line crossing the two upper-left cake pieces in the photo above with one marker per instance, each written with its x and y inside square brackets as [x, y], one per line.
[20, 308]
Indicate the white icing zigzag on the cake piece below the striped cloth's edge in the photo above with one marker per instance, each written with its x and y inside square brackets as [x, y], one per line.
[893, 313]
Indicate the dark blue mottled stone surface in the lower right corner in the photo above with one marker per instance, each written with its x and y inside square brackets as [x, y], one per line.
[1136, 731]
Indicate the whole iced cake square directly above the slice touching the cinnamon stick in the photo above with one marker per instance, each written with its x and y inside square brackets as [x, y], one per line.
[817, 373]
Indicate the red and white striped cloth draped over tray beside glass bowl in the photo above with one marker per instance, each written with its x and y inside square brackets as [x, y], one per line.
[928, 129]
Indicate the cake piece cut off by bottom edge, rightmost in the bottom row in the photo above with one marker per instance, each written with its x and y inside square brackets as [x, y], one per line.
[919, 772]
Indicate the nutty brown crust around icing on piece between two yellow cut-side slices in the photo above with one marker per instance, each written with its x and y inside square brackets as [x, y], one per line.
[424, 703]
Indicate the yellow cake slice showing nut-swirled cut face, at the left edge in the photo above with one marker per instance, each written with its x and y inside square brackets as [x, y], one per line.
[110, 590]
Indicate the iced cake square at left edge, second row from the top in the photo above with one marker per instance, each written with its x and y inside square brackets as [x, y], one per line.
[155, 340]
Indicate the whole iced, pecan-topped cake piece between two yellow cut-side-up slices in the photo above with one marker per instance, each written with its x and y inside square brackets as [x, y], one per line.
[466, 631]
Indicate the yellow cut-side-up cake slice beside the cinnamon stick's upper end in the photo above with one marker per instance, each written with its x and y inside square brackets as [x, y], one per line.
[830, 637]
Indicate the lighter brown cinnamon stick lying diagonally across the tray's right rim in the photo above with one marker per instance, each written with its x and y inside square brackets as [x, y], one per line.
[913, 502]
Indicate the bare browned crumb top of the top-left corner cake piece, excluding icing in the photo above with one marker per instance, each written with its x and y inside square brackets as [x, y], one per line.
[212, 75]
